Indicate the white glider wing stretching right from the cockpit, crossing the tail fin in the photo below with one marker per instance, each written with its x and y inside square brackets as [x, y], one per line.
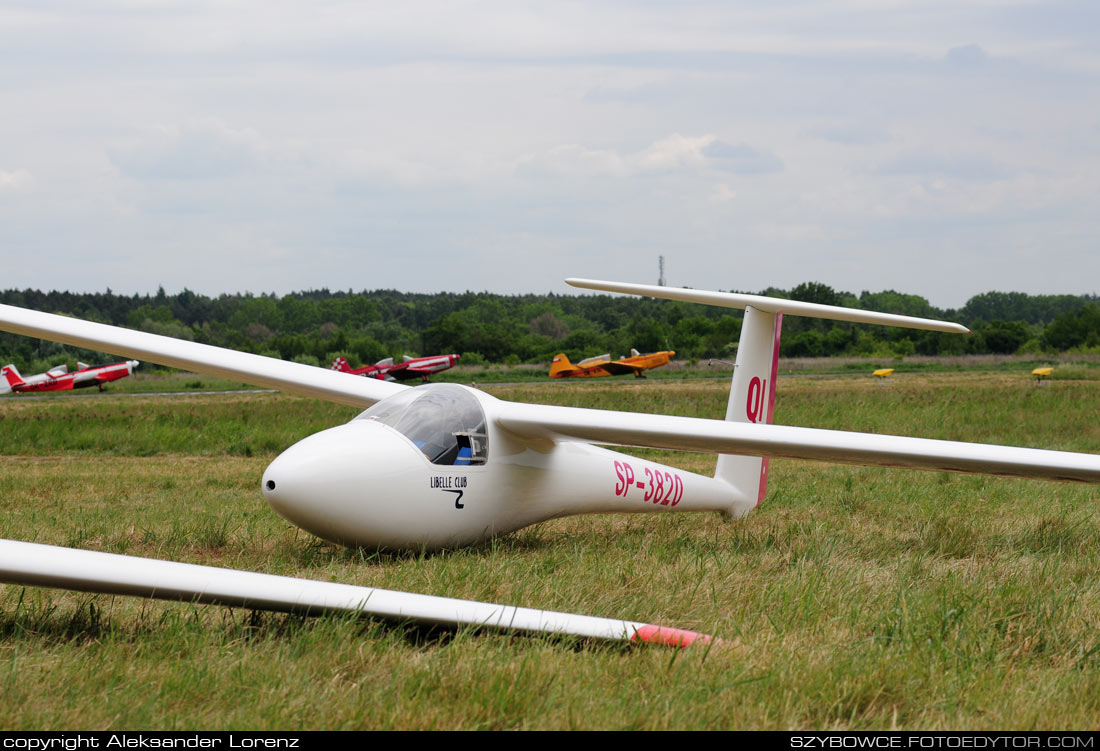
[663, 432]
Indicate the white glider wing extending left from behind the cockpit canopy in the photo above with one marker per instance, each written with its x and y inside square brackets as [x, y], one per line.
[257, 370]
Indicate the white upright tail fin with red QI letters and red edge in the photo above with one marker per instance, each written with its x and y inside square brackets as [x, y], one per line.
[752, 400]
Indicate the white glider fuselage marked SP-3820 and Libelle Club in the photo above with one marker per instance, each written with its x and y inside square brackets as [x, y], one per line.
[368, 483]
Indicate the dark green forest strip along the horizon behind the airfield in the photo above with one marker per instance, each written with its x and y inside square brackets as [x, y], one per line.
[315, 327]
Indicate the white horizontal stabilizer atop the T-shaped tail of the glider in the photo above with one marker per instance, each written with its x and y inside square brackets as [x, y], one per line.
[772, 305]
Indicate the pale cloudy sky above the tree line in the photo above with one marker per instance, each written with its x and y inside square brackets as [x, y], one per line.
[942, 149]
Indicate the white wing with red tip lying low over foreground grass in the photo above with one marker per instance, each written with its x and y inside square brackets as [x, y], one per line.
[90, 571]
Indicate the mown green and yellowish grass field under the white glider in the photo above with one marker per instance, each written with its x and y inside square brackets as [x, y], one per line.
[852, 599]
